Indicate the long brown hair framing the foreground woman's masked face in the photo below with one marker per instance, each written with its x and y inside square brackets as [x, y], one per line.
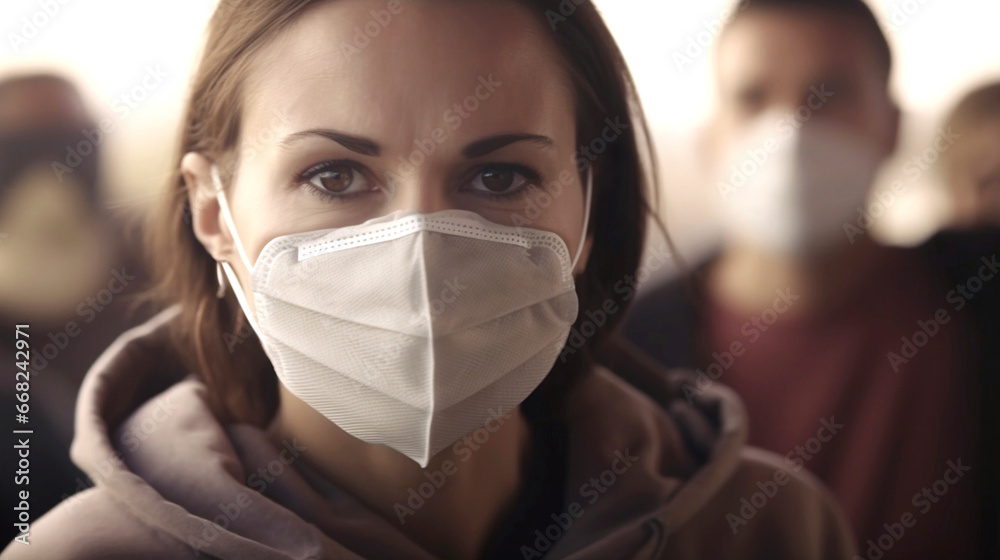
[242, 384]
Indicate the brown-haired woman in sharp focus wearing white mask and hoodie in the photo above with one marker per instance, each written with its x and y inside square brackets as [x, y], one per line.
[395, 197]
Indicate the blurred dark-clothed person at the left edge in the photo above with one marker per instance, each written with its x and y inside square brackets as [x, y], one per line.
[66, 269]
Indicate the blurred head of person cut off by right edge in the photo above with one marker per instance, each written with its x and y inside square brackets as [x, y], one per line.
[971, 170]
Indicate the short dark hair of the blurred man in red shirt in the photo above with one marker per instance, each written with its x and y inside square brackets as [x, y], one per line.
[855, 9]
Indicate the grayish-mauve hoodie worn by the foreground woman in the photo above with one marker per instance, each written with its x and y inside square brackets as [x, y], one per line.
[650, 475]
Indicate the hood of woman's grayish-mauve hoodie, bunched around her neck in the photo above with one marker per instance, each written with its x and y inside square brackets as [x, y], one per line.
[146, 436]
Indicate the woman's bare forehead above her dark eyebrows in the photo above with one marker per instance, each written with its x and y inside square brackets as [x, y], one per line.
[351, 65]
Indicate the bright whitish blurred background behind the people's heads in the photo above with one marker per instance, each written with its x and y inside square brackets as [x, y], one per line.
[109, 47]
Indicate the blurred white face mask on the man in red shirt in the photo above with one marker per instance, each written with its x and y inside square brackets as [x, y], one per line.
[789, 187]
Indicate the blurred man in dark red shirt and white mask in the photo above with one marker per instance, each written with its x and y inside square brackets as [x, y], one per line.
[860, 362]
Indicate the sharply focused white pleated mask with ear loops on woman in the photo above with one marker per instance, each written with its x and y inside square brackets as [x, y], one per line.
[411, 330]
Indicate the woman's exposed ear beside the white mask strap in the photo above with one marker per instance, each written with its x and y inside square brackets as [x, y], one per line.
[206, 217]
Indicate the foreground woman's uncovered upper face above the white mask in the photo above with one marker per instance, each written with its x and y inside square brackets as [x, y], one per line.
[360, 109]
